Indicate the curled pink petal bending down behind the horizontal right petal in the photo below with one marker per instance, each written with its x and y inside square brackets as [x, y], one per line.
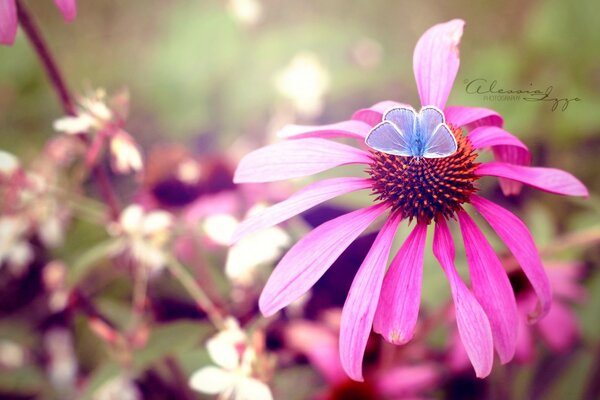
[506, 147]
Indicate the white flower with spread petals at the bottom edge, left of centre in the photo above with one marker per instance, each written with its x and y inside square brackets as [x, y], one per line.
[232, 377]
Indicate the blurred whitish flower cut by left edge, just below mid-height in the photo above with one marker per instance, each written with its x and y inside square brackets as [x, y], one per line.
[15, 250]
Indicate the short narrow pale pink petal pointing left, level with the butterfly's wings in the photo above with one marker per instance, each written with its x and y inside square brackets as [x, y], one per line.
[354, 129]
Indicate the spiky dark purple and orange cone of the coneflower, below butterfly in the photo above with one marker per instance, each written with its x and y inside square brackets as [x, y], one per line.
[426, 188]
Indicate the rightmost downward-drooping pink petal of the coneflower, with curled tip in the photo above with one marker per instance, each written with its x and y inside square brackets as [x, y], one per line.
[517, 238]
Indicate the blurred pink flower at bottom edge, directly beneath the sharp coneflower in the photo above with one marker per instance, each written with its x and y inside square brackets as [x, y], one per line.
[318, 341]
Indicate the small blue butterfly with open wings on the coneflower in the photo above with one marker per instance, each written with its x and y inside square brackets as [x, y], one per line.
[403, 132]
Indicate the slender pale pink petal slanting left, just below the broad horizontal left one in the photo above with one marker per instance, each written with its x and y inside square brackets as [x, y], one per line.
[304, 199]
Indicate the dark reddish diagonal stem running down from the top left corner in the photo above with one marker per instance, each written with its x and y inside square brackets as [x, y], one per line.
[64, 95]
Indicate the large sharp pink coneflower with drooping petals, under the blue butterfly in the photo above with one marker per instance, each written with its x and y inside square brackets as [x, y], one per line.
[421, 189]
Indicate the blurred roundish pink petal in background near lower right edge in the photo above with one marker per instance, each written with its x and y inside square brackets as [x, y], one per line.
[560, 328]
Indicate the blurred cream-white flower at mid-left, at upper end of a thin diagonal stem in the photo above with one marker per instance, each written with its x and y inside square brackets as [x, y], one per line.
[145, 235]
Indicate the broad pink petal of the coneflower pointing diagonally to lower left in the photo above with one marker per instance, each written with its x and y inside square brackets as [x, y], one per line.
[308, 259]
